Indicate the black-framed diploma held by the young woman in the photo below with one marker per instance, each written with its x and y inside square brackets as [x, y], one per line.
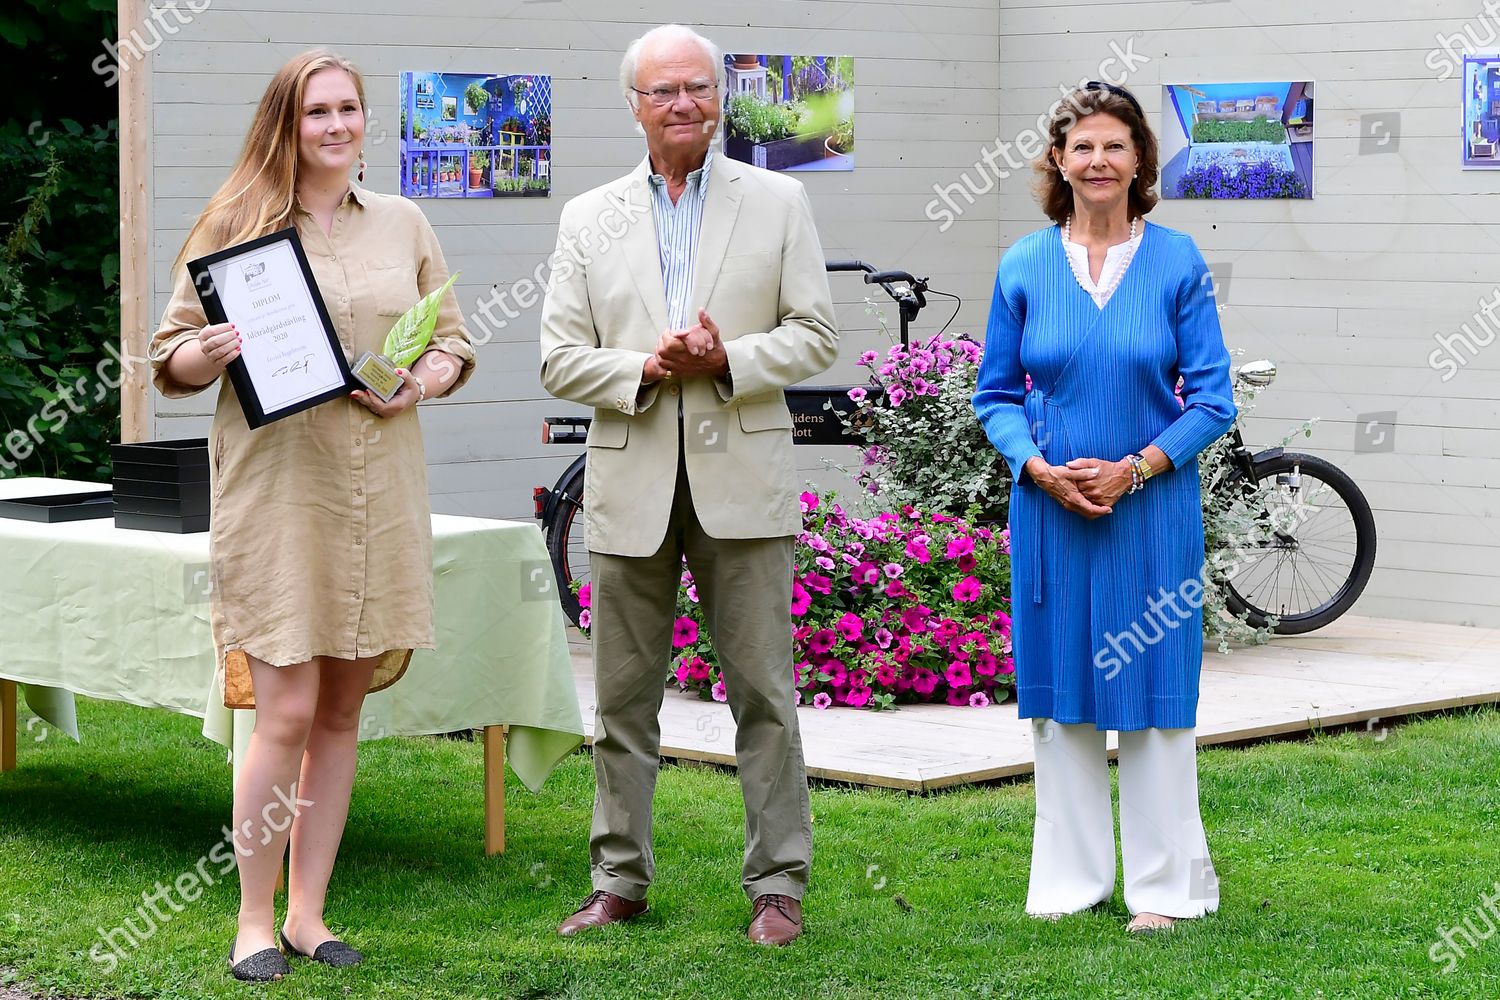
[292, 358]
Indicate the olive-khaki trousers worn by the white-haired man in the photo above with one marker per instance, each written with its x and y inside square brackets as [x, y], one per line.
[746, 591]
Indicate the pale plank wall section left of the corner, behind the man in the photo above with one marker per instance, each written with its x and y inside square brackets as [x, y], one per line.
[926, 85]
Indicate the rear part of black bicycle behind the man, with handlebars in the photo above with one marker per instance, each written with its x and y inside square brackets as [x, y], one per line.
[817, 419]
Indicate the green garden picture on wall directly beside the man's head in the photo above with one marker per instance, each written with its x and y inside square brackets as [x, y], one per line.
[790, 113]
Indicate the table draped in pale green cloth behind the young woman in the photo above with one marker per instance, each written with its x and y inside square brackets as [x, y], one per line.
[124, 615]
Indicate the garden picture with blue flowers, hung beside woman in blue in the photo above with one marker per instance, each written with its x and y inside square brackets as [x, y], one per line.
[1229, 142]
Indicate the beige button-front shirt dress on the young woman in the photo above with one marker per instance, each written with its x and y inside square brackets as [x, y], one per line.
[322, 534]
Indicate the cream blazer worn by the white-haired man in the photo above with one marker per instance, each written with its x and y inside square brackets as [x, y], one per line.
[761, 277]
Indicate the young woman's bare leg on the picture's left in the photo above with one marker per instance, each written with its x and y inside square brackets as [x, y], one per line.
[286, 702]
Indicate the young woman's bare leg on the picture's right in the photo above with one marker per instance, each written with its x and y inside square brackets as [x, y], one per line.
[328, 779]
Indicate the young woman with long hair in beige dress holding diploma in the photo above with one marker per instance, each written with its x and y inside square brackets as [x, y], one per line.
[322, 533]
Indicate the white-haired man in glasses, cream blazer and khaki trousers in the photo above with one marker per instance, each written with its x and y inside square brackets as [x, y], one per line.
[685, 298]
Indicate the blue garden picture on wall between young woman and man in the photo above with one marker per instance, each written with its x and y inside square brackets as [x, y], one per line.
[475, 136]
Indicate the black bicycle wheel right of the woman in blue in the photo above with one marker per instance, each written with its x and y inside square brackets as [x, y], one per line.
[1313, 548]
